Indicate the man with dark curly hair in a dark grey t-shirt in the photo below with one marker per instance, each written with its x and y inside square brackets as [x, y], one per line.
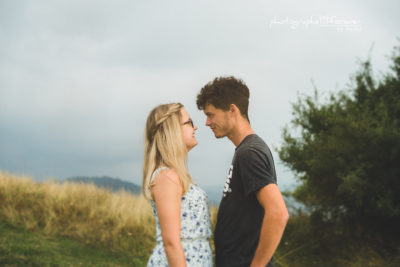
[252, 214]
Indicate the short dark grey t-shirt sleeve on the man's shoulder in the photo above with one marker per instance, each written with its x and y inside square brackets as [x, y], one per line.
[255, 170]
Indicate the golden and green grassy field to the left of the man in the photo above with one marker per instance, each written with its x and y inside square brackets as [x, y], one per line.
[69, 224]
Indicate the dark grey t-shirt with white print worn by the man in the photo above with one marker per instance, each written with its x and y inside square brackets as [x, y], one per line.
[240, 215]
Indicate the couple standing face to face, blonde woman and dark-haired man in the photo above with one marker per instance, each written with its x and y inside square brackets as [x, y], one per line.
[252, 214]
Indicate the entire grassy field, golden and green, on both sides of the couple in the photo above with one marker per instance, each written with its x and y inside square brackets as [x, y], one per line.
[72, 224]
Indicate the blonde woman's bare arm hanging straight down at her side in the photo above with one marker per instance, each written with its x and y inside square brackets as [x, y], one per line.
[167, 193]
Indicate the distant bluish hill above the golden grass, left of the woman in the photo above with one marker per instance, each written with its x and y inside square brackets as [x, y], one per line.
[110, 183]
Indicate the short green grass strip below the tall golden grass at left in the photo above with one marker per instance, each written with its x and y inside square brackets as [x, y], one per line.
[20, 247]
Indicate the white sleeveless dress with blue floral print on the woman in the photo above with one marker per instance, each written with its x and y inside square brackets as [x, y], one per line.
[195, 230]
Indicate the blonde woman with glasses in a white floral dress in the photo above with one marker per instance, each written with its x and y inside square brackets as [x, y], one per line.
[180, 208]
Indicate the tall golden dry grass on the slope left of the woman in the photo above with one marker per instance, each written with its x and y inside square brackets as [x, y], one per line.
[121, 222]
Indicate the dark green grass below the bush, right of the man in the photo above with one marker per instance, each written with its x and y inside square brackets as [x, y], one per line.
[306, 244]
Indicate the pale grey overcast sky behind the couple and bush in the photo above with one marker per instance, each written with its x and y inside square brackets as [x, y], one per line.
[78, 78]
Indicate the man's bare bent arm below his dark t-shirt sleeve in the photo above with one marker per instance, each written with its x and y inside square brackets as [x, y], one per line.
[274, 222]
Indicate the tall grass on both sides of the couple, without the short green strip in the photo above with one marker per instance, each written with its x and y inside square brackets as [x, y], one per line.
[124, 223]
